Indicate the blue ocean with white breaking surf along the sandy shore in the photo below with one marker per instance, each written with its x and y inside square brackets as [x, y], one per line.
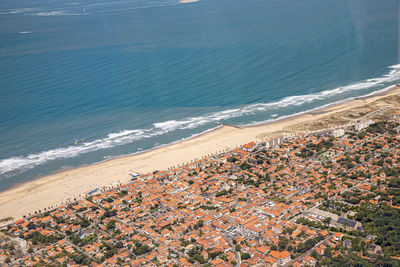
[84, 81]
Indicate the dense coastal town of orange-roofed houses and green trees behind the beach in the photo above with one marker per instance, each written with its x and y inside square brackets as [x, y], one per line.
[326, 198]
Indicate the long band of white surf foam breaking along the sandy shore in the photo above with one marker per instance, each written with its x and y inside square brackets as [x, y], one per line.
[128, 136]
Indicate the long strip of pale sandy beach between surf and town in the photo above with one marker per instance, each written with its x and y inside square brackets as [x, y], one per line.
[67, 185]
